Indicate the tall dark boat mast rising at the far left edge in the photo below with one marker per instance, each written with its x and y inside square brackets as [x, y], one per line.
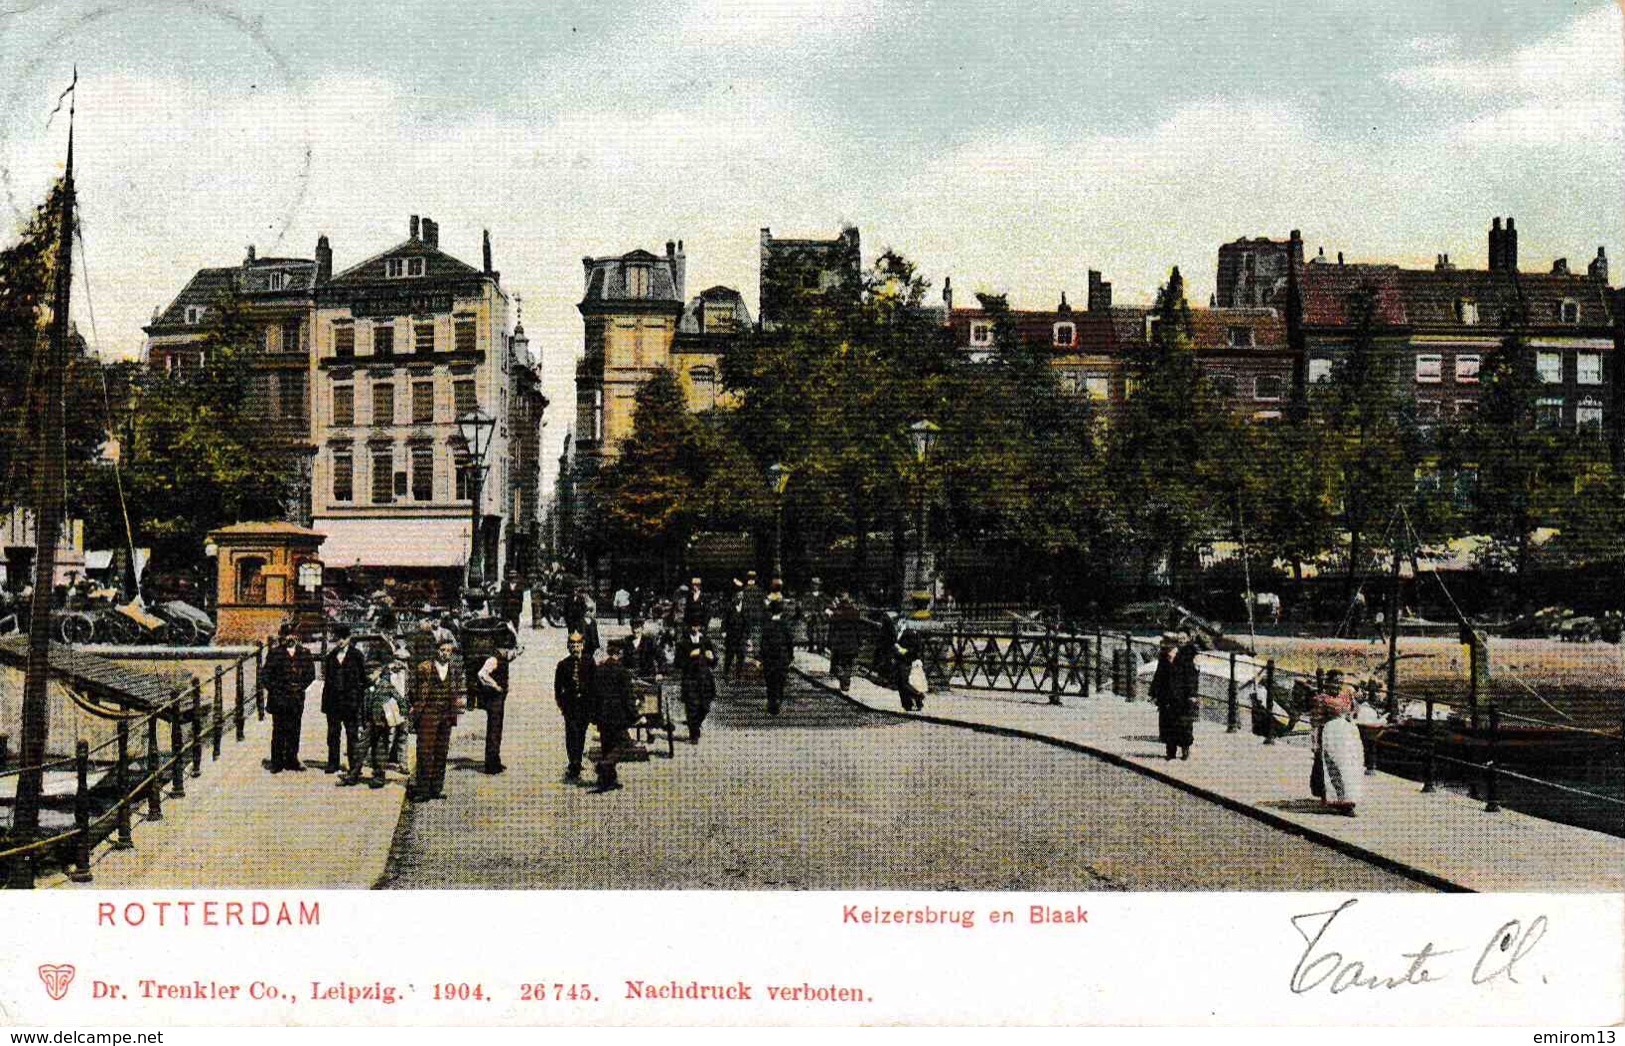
[50, 480]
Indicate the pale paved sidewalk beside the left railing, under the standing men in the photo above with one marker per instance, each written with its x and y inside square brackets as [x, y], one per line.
[241, 828]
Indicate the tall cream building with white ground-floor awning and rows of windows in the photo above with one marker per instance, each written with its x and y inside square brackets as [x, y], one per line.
[404, 345]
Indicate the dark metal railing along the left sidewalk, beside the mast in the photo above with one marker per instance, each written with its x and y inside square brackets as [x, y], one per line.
[111, 780]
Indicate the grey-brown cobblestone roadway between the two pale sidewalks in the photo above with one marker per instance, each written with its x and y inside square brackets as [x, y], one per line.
[828, 797]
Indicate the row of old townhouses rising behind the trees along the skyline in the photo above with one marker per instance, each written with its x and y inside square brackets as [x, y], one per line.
[368, 370]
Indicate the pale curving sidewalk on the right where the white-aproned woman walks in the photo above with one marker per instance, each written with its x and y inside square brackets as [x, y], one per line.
[1441, 839]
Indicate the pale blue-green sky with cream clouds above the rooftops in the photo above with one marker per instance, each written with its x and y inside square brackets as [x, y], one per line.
[1008, 145]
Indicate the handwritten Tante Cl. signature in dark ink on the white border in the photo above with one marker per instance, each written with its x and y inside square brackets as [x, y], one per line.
[1325, 967]
